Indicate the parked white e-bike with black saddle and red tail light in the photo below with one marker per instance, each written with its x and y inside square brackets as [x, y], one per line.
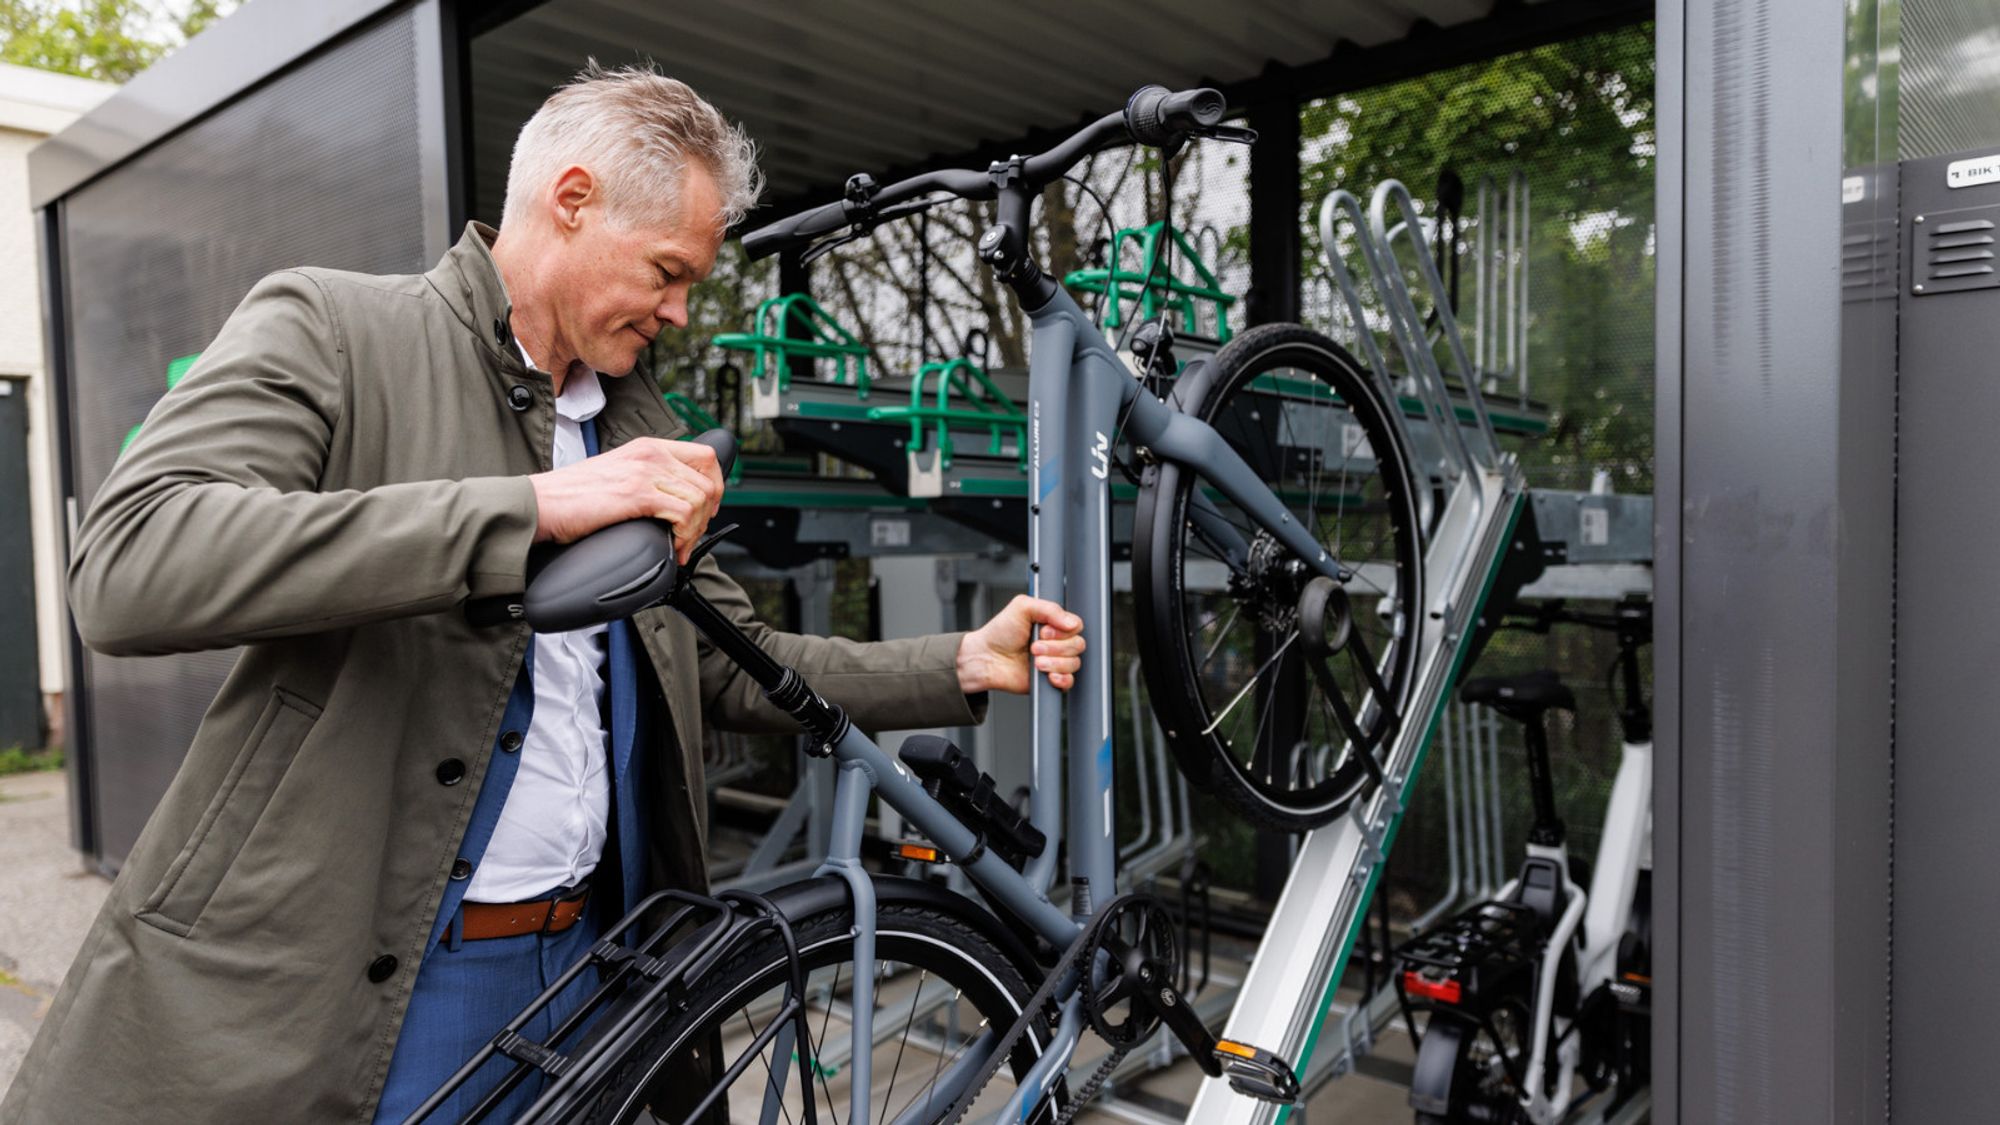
[1541, 998]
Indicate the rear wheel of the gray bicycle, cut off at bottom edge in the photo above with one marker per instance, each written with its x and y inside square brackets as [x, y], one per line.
[943, 992]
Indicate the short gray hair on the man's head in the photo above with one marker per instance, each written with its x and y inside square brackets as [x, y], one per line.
[637, 131]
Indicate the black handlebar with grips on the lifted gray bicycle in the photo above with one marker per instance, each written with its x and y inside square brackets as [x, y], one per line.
[1153, 117]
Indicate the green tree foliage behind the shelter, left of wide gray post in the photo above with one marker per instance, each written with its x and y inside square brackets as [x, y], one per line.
[1577, 117]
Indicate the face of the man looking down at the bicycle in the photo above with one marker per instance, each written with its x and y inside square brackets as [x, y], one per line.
[623, 285]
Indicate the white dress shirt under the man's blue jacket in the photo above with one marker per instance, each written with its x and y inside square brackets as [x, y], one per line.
[553, 826]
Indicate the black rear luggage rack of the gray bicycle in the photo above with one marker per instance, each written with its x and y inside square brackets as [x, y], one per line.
[641, 986]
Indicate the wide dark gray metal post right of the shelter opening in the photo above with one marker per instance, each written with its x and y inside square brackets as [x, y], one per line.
[1777, 578]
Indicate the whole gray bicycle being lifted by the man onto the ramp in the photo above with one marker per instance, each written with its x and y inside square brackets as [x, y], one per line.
[1277, 584]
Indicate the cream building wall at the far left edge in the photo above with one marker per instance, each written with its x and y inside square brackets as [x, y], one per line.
[33, 107]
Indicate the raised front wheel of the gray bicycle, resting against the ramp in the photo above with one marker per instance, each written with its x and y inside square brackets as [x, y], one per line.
[1289, 736]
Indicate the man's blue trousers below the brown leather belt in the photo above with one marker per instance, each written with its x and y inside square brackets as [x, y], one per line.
[465, 994]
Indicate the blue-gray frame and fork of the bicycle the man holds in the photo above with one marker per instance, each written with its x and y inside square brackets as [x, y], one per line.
[1079, 393]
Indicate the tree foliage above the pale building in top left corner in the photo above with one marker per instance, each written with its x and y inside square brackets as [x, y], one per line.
[101, 39]
